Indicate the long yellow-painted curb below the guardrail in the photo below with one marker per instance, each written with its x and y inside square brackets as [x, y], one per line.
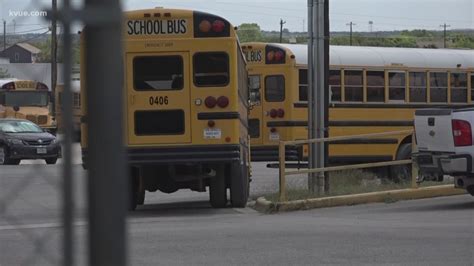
[265, 206]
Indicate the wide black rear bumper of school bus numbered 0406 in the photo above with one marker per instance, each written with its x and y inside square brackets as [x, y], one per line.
[180, 155]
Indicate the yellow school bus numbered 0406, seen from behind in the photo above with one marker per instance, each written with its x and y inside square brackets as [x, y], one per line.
[186, 93]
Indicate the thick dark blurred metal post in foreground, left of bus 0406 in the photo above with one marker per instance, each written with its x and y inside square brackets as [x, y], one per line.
[107, 176]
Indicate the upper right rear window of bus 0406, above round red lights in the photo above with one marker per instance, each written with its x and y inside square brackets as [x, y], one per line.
[211, 69]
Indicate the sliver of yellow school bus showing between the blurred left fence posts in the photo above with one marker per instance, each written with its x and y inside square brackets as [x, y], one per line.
[76, 107]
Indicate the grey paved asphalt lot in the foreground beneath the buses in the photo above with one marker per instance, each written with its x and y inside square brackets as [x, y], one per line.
[181, 229]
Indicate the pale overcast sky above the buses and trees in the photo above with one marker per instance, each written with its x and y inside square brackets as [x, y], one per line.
[385, 14]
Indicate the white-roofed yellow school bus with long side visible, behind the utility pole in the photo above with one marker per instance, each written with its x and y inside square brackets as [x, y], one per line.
[372, 89]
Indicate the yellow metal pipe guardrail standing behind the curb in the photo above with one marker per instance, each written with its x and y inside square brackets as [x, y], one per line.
[283, 144]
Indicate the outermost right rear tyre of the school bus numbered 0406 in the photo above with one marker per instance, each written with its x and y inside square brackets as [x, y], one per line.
[239, 185]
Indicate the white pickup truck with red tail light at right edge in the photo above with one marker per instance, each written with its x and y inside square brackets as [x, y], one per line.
[445, 145]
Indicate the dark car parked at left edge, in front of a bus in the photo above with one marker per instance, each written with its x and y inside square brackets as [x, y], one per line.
[22, 139]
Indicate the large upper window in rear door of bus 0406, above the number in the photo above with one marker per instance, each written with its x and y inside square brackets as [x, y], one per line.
[158, 73]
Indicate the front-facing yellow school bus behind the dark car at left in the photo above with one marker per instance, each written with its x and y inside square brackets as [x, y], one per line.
[27, 99]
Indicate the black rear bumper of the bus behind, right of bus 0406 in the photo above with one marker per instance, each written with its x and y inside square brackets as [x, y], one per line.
[270, 153]
